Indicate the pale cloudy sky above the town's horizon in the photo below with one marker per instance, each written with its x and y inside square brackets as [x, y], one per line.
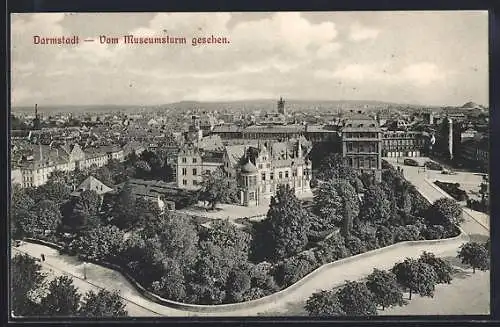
[433, 58]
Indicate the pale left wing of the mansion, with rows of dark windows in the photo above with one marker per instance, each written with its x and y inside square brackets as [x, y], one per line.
[192, 164]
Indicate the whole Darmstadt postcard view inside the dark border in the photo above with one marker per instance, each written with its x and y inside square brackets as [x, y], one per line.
[306, 164]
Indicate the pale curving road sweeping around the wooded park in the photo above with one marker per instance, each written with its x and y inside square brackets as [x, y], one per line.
[137, 305]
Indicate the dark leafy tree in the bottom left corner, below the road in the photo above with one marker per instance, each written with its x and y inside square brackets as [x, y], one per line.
[26, 277]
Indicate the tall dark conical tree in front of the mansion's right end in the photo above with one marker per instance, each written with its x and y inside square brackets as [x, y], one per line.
[288, 224]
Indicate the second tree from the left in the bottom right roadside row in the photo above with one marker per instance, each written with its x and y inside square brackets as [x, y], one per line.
[356, 299]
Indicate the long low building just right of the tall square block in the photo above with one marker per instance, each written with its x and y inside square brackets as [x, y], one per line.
[404, 143]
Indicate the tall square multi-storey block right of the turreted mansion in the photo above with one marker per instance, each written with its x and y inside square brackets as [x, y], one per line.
[362, 145]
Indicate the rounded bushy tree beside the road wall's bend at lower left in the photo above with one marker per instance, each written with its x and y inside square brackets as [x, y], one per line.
[102, 243]
